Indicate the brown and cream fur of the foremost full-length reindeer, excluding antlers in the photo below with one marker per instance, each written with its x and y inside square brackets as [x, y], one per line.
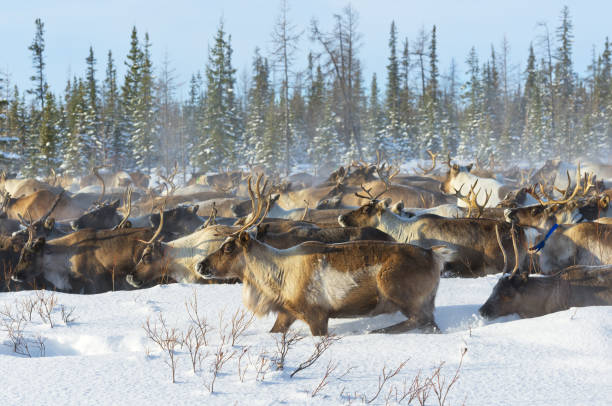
[315, 281]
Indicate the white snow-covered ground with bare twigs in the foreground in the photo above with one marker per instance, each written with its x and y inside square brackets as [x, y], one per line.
[105, 357]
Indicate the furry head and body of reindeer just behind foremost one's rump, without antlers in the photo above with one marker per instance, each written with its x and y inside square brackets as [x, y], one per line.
[474, 239]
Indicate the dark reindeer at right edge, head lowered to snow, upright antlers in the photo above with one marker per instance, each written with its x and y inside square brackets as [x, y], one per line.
[530, 296]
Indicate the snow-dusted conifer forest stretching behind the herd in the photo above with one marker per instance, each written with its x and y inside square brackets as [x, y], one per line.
[323, 115]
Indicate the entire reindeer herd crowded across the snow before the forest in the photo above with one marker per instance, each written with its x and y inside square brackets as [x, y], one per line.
[365, 240]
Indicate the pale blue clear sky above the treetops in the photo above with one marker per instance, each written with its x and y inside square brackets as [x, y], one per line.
[183, 29]
